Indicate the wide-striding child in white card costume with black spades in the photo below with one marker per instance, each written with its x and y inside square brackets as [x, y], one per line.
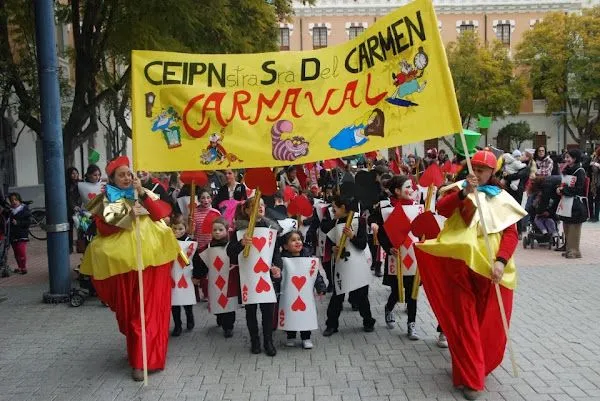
[352, 271]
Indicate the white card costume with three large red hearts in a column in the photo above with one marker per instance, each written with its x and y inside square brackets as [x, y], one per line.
[255, 277]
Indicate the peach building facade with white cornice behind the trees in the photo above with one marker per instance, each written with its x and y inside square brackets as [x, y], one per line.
[332, 22]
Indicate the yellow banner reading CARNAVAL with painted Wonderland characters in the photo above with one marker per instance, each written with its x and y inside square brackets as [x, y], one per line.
[387, 87]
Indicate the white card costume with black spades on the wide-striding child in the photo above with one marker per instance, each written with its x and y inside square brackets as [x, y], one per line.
[353, 269]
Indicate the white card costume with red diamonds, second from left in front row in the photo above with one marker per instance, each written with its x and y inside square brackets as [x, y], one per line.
[220, 298]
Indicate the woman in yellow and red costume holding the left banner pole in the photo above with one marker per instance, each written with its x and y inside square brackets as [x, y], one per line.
[111, 261]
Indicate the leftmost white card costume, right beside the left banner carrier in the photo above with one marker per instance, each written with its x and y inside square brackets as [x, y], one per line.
[182, 288]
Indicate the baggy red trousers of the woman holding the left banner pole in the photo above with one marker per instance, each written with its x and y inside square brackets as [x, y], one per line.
[121, 293]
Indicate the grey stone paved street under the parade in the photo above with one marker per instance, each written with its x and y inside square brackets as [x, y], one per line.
[56, 352]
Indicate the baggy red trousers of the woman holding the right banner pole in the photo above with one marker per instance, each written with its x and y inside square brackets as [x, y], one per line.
[466, 306]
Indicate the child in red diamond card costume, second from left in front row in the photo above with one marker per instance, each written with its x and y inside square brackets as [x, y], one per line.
[223, 277]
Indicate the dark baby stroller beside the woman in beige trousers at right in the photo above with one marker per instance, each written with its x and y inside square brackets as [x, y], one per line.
[544, 228]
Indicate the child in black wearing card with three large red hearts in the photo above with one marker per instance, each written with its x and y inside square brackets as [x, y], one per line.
[235, 252]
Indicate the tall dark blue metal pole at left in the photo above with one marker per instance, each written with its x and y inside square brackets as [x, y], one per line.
[54, 178]
